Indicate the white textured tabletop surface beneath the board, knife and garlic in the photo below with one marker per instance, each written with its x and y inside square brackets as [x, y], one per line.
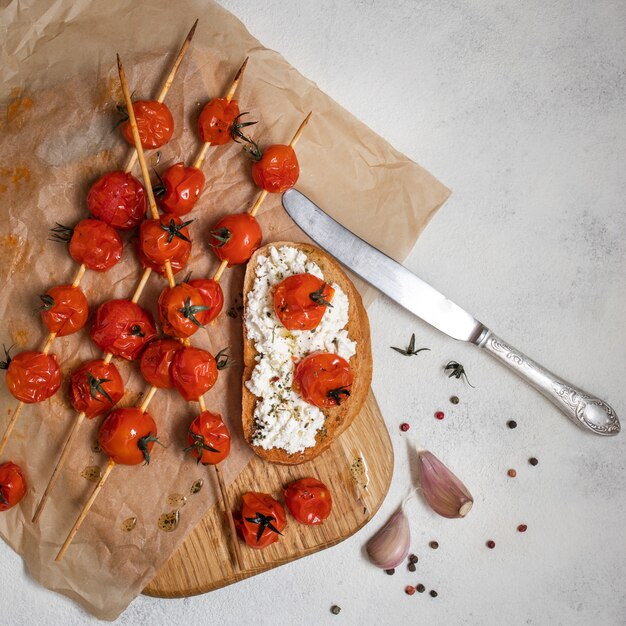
[520, 109]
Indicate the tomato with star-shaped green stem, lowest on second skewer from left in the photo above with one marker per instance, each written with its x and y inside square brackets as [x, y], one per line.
[95, 388]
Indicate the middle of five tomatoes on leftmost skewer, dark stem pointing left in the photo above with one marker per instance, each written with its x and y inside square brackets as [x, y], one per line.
[92, 243]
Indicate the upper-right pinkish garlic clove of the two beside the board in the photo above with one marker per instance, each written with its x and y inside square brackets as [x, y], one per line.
[443, 491]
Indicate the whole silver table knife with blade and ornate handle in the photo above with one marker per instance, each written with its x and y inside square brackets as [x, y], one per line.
[411, 292]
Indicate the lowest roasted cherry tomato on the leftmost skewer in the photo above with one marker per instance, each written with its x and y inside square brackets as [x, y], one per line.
[32, 376]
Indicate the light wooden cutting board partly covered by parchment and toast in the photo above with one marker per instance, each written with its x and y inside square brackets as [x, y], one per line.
[203, 563]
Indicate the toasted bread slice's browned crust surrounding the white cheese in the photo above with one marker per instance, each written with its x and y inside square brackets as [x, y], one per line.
[337, 419]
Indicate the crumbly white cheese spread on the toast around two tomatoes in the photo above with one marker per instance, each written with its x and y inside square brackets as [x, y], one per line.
[281, 418]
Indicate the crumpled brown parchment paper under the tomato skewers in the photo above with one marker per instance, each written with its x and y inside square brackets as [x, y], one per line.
[60, 88]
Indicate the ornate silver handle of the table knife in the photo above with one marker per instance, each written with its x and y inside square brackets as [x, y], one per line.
[581, 407]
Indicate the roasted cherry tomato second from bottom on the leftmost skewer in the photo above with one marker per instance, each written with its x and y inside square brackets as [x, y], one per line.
[64, 310]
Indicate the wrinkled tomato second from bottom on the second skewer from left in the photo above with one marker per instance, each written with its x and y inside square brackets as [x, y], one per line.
[122, 328]
